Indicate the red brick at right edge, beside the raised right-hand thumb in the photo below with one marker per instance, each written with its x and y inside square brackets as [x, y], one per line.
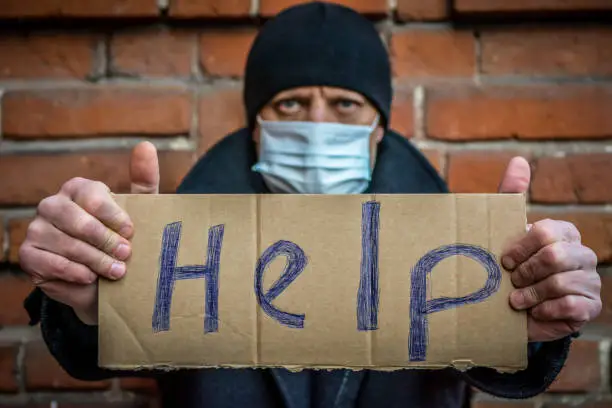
[580, 178]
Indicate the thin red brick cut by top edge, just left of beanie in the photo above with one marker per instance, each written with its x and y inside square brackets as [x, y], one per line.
[210, 8]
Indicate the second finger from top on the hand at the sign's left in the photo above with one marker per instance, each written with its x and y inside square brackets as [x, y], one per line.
[69, 217]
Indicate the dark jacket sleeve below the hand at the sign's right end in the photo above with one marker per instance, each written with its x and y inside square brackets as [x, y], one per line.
[545, 362]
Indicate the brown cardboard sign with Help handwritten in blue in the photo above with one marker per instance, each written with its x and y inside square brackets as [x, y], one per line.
[361, 281]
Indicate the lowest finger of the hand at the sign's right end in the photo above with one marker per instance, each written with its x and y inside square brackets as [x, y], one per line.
[572, 307]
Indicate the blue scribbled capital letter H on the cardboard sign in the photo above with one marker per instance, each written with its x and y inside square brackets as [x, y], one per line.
[169, 273]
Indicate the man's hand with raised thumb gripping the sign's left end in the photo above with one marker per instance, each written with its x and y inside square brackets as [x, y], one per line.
[80, 234]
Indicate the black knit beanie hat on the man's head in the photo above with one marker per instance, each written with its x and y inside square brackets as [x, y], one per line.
[317, 44]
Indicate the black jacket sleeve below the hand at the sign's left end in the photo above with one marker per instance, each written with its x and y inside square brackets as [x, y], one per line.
[73, 343]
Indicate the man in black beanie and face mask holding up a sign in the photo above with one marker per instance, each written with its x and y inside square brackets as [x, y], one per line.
[317, 96]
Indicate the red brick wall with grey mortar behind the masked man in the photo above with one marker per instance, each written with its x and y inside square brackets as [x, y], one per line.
[74, 99]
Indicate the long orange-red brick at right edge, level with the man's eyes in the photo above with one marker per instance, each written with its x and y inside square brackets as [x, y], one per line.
[532, 112]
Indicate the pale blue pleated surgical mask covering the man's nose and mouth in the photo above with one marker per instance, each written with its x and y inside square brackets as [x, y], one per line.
[315, 157]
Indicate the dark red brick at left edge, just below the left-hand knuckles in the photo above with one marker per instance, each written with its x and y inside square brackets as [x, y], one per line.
[13, 291]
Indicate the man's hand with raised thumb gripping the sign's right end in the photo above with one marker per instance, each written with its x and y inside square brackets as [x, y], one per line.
[555, 275]
